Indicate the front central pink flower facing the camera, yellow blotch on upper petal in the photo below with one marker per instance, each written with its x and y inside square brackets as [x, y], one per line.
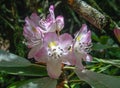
[56, 51]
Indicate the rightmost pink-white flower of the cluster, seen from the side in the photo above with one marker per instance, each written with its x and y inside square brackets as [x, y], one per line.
[82, 46]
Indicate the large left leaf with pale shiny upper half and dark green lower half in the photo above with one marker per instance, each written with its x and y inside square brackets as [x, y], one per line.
[13, 64]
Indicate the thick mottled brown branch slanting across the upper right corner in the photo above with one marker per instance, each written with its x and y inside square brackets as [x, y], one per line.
[99, 19]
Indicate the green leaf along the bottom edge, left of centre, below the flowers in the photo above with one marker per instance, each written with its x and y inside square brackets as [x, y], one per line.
[36, 83]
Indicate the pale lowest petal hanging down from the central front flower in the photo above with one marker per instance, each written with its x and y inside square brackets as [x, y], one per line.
[54, 69]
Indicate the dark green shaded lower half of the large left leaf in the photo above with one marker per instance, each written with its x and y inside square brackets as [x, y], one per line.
[32, 70]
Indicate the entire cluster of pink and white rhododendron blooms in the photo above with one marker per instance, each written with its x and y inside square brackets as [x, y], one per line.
[48, 46]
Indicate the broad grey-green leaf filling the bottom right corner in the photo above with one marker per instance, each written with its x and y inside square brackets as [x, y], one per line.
[98, 80]
